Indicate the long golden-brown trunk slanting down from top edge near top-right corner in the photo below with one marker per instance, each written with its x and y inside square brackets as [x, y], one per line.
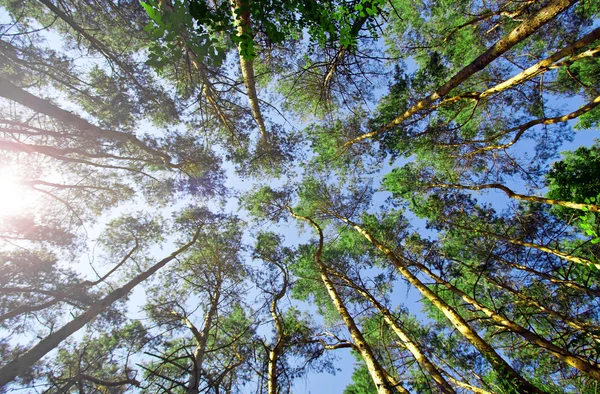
[521, 32]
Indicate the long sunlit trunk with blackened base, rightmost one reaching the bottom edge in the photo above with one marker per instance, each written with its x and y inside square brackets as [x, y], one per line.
[497, 362]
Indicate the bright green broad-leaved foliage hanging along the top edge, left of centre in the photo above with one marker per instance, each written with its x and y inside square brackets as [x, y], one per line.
[325, 22]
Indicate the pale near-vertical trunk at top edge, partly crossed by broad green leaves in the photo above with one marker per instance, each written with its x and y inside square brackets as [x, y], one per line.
[243, 25]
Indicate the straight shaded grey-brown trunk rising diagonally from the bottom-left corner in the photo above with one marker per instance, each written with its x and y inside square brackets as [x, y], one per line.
[26, 360]
